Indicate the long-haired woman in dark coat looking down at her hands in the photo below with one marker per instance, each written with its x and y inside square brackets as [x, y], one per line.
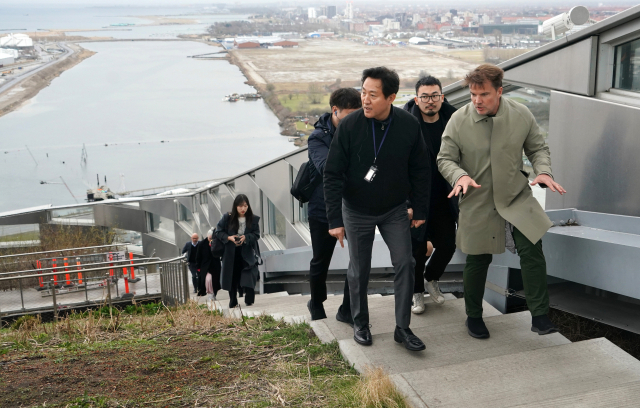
[240, 230]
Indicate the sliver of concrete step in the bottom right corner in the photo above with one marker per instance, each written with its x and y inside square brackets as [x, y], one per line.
[620, 396]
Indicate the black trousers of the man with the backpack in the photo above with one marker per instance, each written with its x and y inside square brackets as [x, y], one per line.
[323, 245]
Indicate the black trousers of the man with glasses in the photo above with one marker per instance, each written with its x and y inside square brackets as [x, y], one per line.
[442, 228]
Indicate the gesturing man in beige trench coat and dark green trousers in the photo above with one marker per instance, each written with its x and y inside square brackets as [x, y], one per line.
[481, 156]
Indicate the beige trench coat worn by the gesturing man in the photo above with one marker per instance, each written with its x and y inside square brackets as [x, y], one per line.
[489, 150]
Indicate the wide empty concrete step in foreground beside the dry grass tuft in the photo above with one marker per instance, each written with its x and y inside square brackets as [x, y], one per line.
[523, 379]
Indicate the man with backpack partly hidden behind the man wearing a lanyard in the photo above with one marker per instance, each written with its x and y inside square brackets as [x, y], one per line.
[343, 101]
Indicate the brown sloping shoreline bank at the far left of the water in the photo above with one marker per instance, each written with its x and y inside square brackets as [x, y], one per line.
[23, 91]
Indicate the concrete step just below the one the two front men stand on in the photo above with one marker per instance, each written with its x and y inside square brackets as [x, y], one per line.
[382, 317]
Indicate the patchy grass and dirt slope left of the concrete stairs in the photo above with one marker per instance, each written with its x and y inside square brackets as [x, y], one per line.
[170, 358]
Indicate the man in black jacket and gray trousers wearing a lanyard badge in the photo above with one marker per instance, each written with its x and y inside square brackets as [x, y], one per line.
[377, 159]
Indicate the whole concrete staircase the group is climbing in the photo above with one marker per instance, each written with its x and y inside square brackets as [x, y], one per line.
[513, 368]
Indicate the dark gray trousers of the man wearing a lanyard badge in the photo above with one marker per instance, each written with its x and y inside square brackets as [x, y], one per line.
[394, 227]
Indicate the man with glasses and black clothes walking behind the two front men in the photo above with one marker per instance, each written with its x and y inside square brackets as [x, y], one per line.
[433, 113]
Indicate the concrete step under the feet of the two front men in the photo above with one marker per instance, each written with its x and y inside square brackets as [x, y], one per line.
[449, 343]
